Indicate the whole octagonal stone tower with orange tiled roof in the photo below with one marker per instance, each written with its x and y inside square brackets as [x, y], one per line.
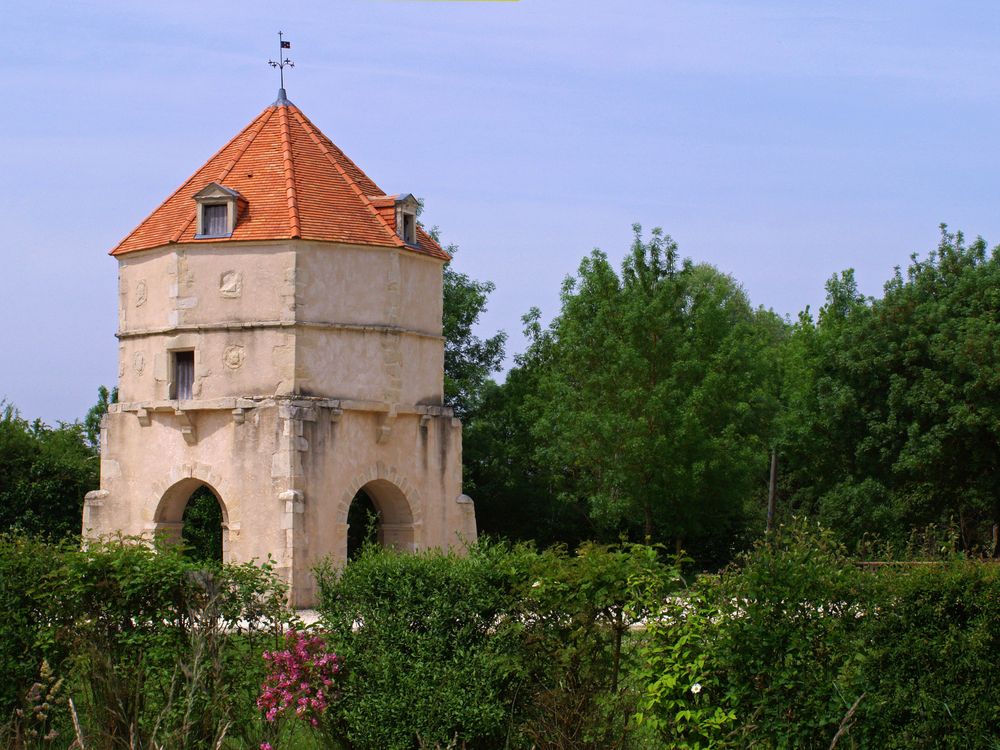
[280, 343]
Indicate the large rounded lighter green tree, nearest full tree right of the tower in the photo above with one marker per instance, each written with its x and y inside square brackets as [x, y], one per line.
[657, 393]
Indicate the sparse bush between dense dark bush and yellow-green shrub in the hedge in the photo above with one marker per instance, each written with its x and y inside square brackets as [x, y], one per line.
[579, 646]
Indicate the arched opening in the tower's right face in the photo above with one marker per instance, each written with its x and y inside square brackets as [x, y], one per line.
[379, 512]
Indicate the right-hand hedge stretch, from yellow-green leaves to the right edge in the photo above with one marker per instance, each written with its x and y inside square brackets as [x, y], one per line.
[794, 645]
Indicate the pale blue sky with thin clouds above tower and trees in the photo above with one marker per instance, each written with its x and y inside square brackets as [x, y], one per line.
[780, 141]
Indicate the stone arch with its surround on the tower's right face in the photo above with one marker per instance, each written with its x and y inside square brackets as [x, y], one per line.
[397, 502]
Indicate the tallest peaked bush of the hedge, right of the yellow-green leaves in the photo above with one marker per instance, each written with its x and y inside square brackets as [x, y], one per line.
[789, 616]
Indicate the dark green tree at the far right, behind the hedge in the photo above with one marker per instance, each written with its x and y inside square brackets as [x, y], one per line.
[894, 403]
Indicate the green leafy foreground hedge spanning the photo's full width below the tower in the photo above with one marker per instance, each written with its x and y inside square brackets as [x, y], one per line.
[793, 646]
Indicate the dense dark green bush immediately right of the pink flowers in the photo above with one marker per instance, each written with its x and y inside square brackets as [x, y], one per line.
[429, 651]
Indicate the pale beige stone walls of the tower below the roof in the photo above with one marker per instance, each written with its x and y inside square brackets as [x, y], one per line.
[318, 371]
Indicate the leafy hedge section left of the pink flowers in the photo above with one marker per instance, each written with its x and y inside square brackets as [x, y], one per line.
[154, 648]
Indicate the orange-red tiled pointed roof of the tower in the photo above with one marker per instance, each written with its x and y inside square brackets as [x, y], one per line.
[297, 184]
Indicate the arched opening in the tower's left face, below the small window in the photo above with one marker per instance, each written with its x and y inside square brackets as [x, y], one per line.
[192, 512]
